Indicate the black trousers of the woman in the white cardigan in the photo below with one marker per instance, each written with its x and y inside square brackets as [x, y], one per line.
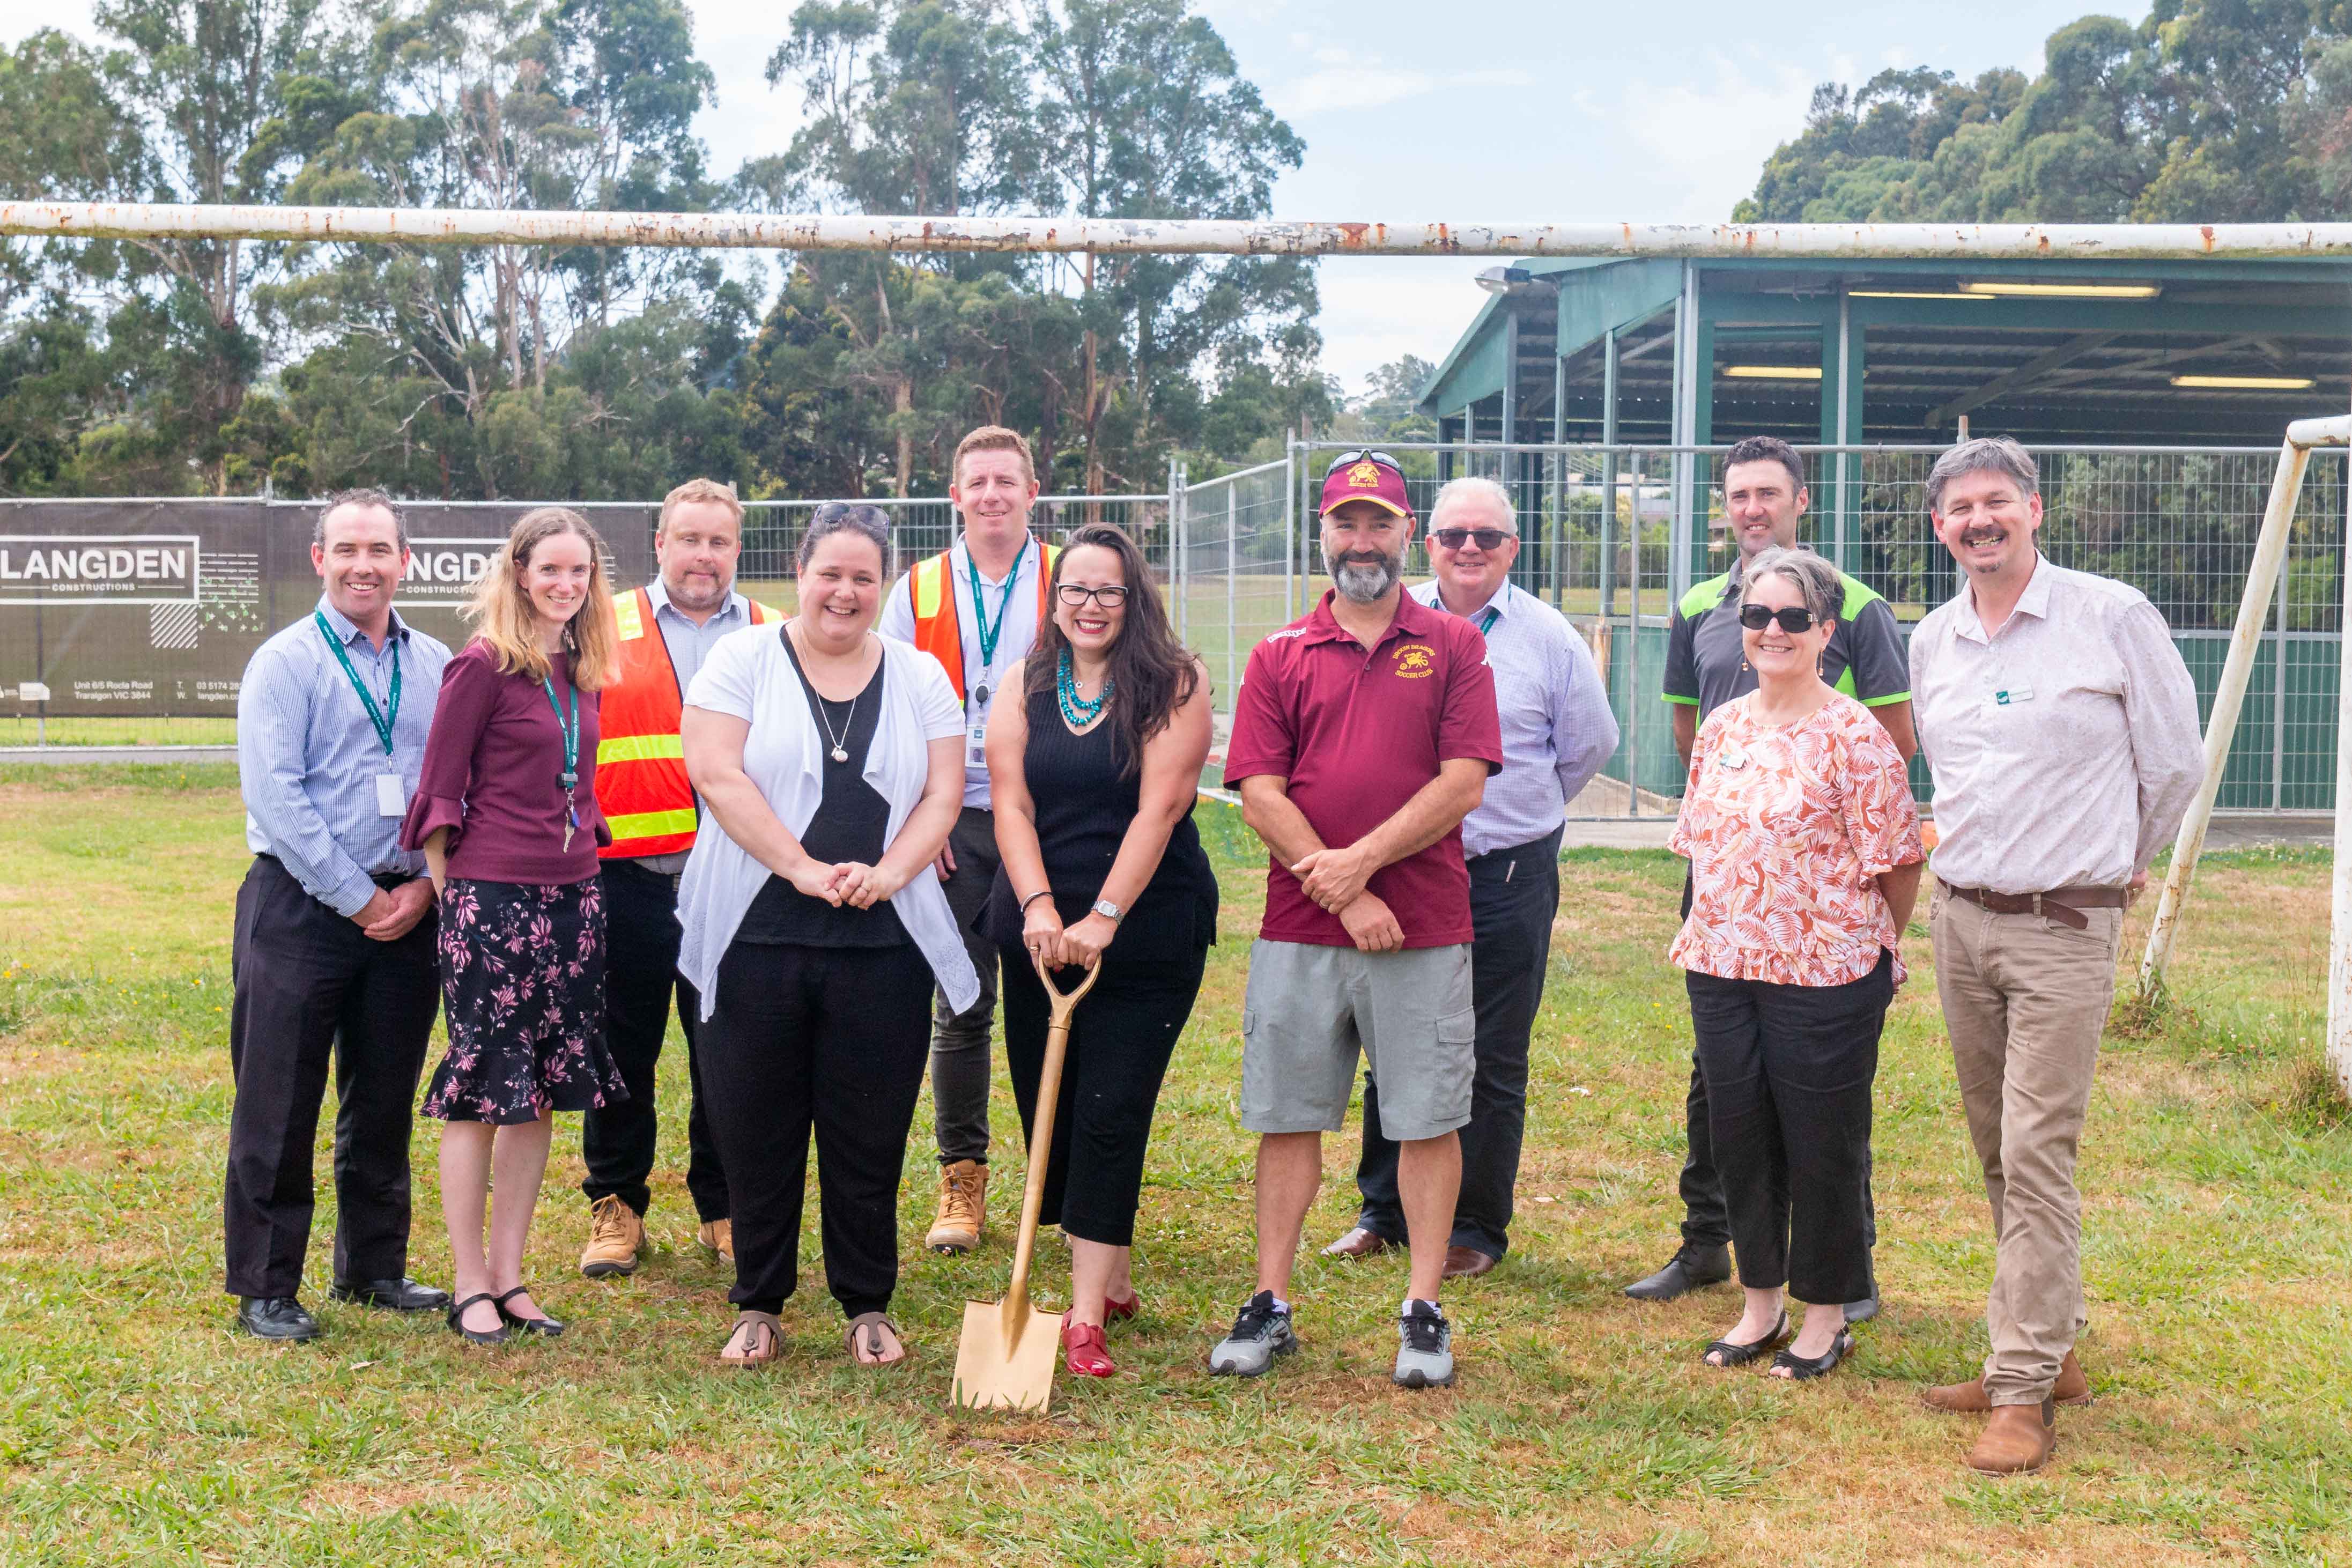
[827, 1040]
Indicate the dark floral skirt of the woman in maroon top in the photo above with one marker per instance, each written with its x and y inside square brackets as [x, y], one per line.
[523, 989]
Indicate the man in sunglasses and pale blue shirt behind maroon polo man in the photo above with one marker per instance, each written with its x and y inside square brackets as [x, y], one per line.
[1558, 732]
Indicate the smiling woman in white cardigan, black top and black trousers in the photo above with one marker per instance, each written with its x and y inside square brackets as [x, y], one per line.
[831, 768]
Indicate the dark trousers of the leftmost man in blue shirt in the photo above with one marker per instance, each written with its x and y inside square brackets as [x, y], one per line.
[314, 989]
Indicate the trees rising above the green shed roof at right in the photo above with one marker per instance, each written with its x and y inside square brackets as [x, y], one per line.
[2210, 112]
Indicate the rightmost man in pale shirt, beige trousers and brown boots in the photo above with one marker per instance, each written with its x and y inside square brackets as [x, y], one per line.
[2062, 728]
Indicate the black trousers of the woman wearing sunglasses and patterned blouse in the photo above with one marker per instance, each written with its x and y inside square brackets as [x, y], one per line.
[1789, 1080]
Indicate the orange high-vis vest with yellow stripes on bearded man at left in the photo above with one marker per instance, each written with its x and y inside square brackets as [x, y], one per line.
[641, 770]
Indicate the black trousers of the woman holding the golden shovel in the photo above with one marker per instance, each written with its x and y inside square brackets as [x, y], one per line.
[1121, 1045]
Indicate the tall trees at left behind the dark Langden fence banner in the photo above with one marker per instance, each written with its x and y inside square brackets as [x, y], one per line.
[594, 373]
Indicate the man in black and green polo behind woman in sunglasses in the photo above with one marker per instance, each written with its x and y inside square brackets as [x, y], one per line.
[1706, 666]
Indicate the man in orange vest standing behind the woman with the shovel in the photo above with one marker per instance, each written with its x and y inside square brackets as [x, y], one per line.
[975, 608]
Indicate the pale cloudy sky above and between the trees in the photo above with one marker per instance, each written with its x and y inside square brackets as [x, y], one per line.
[1499, 112]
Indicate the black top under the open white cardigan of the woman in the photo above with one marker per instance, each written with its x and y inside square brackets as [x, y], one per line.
[848, 826]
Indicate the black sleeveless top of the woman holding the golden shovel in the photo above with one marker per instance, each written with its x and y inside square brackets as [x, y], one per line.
[1085, 808]
